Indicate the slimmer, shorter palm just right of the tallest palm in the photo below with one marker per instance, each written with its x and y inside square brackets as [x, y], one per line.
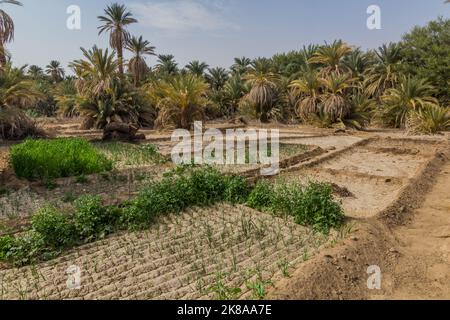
[139, 47]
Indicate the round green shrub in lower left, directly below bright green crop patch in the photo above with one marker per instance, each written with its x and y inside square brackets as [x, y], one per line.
[55, 227]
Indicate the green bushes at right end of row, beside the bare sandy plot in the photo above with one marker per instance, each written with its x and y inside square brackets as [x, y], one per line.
[311, 204]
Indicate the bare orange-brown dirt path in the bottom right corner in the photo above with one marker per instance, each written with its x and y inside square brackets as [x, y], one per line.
[423, 268]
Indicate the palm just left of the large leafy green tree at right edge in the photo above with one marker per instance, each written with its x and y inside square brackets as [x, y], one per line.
[384, 74]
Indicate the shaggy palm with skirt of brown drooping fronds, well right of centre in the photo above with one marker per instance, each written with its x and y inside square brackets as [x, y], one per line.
[335, 99]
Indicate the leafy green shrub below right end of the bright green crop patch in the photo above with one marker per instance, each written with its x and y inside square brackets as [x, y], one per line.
[93, 220]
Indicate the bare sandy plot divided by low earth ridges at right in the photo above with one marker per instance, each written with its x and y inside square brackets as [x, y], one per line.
[369, 178]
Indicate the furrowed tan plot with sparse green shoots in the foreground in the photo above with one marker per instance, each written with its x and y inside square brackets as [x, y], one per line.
[223, 252]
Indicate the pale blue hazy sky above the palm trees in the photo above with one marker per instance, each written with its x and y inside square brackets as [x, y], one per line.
[214, 31]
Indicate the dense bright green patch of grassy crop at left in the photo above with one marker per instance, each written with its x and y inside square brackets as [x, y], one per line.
[50, 159]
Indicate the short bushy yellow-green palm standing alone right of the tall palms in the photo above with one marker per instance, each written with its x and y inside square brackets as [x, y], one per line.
[180, 100]
